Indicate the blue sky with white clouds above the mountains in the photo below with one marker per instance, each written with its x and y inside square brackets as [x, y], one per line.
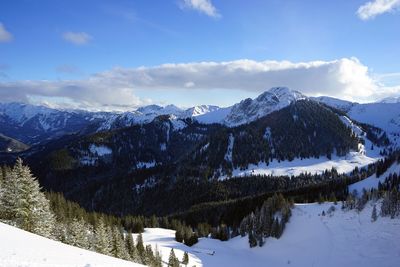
[122, 54]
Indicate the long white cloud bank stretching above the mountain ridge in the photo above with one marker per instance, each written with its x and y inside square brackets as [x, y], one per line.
[345, 78]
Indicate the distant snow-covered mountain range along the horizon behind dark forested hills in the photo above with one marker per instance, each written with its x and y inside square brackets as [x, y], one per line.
[35, 124]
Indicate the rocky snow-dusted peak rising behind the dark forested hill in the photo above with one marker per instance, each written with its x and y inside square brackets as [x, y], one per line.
[249, 109]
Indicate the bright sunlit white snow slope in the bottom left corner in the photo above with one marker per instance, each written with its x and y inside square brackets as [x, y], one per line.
[24, 249]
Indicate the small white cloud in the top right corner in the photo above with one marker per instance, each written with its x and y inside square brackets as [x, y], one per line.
[377, 7]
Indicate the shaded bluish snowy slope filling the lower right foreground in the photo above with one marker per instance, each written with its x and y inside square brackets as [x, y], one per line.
[345, 238]
